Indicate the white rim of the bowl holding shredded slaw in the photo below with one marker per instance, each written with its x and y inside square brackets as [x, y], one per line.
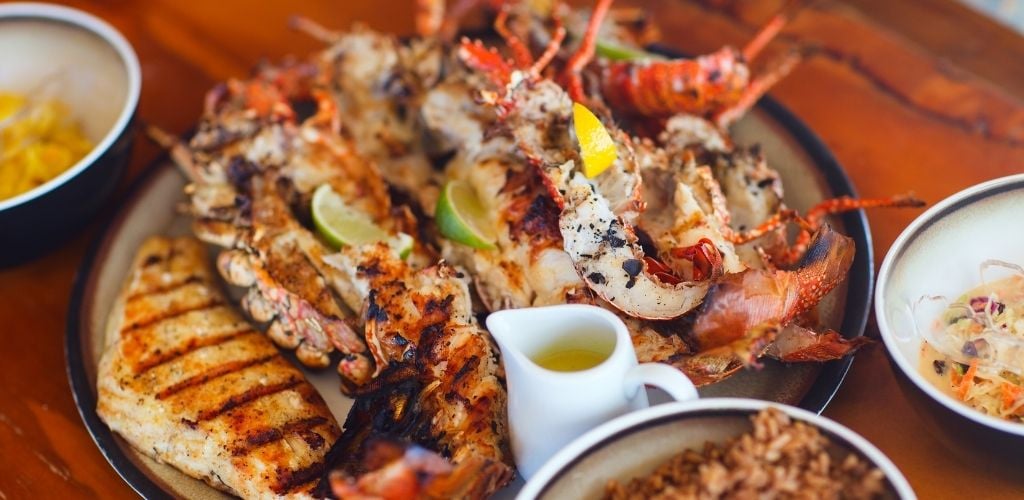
[923, 223]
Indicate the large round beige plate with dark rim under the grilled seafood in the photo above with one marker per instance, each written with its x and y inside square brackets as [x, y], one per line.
[809, 172]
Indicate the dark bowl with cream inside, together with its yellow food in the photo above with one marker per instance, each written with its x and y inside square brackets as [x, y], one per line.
[69, 90]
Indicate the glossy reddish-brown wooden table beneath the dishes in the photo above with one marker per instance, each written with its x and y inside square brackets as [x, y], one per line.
[921, 96]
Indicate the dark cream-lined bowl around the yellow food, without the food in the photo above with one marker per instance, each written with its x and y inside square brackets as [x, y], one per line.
[98, 76]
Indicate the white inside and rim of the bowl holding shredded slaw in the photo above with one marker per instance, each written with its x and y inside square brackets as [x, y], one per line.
[941, 254]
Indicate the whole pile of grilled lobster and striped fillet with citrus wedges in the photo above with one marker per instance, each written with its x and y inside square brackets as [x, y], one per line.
[592, 178]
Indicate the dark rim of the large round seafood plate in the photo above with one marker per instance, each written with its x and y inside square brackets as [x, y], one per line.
[818, 398]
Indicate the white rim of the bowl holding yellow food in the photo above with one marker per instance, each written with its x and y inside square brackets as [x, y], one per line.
[44, 12]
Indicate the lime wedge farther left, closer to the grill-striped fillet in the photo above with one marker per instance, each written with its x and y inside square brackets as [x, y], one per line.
[342, 225]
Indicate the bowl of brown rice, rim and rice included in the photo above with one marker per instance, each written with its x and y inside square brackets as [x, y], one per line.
[719, 448]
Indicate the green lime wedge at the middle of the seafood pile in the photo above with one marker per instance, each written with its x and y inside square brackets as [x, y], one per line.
[461, 217]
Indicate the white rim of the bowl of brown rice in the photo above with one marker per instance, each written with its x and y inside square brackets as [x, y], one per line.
[595, 437]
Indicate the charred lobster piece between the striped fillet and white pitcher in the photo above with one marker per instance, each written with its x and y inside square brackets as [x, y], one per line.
[439, 385]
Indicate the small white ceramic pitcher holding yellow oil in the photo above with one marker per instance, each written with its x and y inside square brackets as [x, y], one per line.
[548, 409]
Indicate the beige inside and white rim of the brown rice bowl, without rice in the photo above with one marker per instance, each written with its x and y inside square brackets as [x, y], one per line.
[637, 443]
